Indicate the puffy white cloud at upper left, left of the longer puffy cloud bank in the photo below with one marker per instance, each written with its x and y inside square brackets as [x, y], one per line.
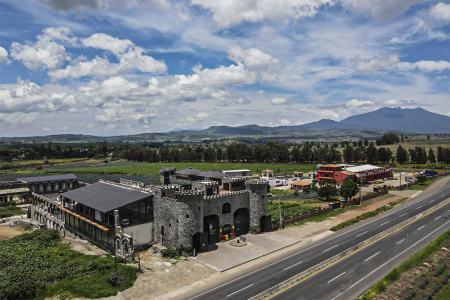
[45, 52]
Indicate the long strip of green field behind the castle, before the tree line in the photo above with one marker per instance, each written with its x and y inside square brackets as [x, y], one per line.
[153, 168]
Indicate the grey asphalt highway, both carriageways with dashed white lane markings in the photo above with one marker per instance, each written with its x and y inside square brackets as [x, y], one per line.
[331, 282]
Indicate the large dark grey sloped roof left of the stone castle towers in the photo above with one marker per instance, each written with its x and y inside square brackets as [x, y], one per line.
[105, 197]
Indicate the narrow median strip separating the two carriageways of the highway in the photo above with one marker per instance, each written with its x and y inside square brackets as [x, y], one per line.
[344, 254]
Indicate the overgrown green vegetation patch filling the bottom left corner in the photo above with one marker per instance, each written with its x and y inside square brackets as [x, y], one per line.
[37, 265]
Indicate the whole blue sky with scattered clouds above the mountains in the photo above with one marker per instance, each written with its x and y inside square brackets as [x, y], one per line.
[115, 67]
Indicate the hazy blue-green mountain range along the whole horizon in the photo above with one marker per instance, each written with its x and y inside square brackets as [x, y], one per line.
[417, 120]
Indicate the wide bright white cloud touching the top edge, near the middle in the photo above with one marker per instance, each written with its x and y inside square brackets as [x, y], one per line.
[230, 12]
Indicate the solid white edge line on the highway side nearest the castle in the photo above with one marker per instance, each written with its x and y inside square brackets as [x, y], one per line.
[325, 241]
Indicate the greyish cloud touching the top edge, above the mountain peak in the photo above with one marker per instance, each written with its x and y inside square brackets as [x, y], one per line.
[383, 10]
